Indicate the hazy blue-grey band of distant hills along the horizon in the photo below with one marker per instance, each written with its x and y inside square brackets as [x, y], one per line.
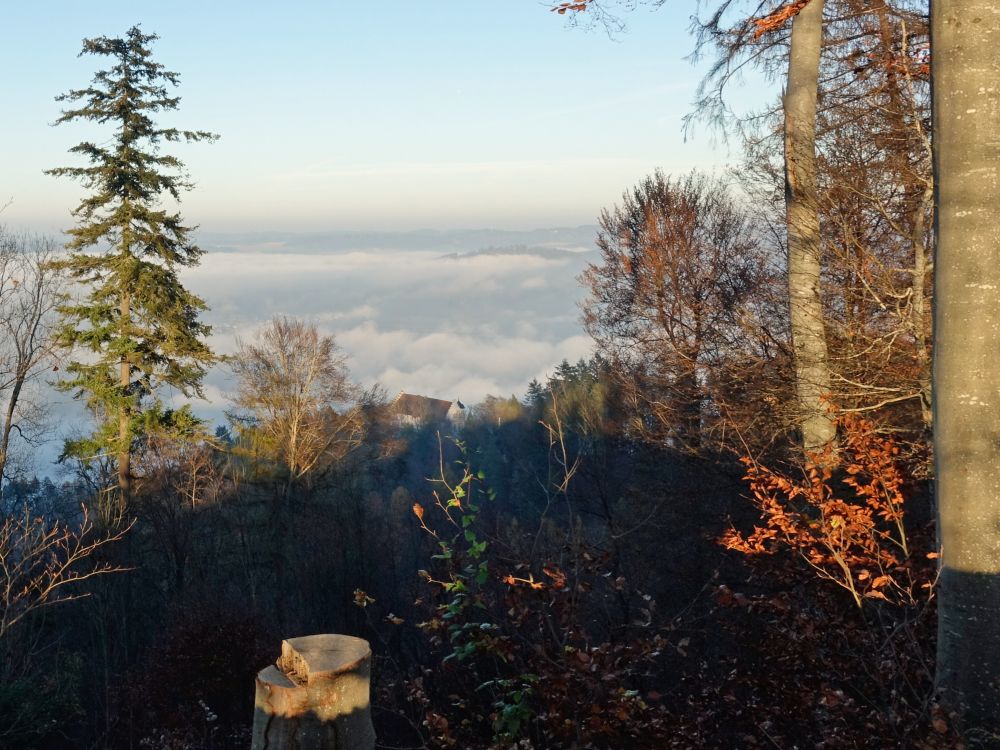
[449, 241]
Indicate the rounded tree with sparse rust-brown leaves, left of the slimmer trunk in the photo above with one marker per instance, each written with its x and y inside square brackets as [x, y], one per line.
[678, 304]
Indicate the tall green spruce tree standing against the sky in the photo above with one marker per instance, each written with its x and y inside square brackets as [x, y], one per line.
[138, 323]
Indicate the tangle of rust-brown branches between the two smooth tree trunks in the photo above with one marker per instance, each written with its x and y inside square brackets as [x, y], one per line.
[875, 213]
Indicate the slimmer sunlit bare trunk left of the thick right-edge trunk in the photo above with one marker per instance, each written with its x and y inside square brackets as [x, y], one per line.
[812, 373]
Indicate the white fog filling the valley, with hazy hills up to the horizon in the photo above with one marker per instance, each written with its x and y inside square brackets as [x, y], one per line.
[452, 315]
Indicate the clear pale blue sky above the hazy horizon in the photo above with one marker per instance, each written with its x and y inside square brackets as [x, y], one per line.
[364, 114]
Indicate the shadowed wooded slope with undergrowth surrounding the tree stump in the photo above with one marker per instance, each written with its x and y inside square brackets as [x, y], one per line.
[540, 572]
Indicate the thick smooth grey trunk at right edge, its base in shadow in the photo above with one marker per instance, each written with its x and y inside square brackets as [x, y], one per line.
[966, 109]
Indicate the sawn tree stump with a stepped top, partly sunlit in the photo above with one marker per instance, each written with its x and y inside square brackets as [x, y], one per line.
[316, 697]
